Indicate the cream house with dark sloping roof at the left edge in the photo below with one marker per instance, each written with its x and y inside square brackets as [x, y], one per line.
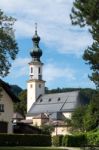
[7, 100]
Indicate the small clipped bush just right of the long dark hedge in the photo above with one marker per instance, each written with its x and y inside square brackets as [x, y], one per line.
[57, 140]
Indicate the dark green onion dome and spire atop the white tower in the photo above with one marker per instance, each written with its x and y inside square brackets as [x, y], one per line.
[36, 52]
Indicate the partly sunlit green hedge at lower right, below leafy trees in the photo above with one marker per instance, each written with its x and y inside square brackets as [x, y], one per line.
[77, 140]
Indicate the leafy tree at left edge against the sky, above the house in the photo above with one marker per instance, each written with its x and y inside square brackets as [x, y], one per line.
[8, 45]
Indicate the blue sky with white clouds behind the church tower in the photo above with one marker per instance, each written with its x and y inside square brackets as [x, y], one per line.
[62, 43]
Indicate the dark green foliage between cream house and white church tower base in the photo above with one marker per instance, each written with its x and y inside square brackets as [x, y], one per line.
[21, 106]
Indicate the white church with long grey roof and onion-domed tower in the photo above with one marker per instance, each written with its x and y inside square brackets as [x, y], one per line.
[45, 108]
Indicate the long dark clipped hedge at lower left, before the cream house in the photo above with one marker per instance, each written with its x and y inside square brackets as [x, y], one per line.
[24, 140]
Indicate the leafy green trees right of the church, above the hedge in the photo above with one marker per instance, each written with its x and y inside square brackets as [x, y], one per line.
[86, 118]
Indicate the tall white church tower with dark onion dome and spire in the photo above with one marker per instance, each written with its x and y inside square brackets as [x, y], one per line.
[35, 85]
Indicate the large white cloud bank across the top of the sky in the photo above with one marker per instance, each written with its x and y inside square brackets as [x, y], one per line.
[54, 23]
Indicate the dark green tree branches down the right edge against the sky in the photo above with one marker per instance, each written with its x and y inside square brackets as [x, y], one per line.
[86, 12]
